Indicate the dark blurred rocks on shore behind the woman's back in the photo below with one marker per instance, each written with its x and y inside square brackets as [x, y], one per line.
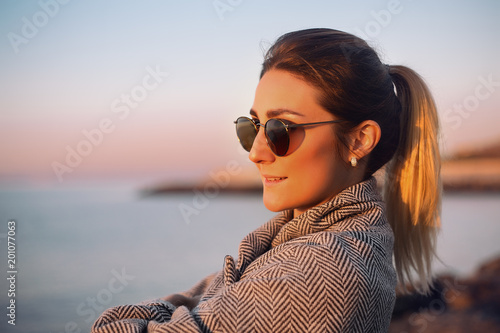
[456, 304]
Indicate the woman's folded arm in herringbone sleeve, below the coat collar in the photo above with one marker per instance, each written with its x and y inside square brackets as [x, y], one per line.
[303, 288]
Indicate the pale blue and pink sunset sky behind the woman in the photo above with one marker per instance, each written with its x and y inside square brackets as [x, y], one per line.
[146, 91]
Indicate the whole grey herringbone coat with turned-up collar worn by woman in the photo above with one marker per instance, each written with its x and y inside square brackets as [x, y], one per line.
[328, 270]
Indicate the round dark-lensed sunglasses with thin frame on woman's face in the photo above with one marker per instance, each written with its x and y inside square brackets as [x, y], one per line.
[276, 130]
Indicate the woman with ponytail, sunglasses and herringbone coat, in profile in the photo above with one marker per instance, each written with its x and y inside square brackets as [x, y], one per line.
[327, 114]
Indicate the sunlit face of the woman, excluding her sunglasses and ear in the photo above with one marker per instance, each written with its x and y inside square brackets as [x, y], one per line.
[312, 171]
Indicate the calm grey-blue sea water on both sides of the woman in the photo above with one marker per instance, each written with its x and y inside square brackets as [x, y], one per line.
[79, 251]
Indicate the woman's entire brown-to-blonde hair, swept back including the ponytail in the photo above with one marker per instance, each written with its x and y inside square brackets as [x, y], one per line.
[356, 86]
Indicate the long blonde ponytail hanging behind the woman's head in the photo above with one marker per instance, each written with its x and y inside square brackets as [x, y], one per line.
[413, 185]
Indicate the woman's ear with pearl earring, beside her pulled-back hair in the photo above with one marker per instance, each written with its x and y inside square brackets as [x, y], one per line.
[364, 138]
